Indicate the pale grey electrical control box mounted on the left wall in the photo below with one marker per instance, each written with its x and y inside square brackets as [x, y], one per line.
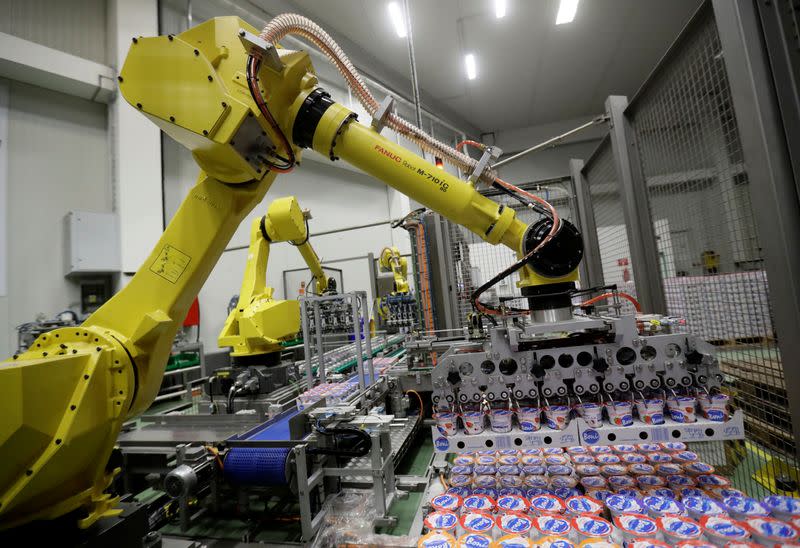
[91, 243]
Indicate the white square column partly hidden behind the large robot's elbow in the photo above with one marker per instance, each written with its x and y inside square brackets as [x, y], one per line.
[135, 143]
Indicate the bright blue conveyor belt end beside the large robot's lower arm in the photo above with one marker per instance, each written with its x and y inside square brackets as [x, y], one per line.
[265, 466]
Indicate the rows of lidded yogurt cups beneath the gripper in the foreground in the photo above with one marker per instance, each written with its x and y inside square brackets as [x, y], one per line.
[601, 496]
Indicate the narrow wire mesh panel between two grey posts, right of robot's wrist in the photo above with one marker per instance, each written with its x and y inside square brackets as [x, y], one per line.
[612, 233]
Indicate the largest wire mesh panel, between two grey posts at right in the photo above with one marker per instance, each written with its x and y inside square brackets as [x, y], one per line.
[710, 257]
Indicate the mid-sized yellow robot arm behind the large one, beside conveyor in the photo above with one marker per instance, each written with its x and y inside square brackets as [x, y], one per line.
[259, 323]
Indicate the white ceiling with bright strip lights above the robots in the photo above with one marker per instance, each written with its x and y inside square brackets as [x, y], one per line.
[530, 71]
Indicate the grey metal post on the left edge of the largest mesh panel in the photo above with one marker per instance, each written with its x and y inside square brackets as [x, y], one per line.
[633, 193]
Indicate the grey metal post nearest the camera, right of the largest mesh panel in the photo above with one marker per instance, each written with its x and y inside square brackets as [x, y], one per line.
[773, 186]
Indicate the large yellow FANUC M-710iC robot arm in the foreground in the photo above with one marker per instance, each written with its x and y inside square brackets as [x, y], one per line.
[245, 112]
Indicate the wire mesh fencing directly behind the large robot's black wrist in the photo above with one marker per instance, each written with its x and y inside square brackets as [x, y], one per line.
[476, 261]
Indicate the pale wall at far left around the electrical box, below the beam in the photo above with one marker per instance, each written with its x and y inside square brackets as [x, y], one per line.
[58, 161]
